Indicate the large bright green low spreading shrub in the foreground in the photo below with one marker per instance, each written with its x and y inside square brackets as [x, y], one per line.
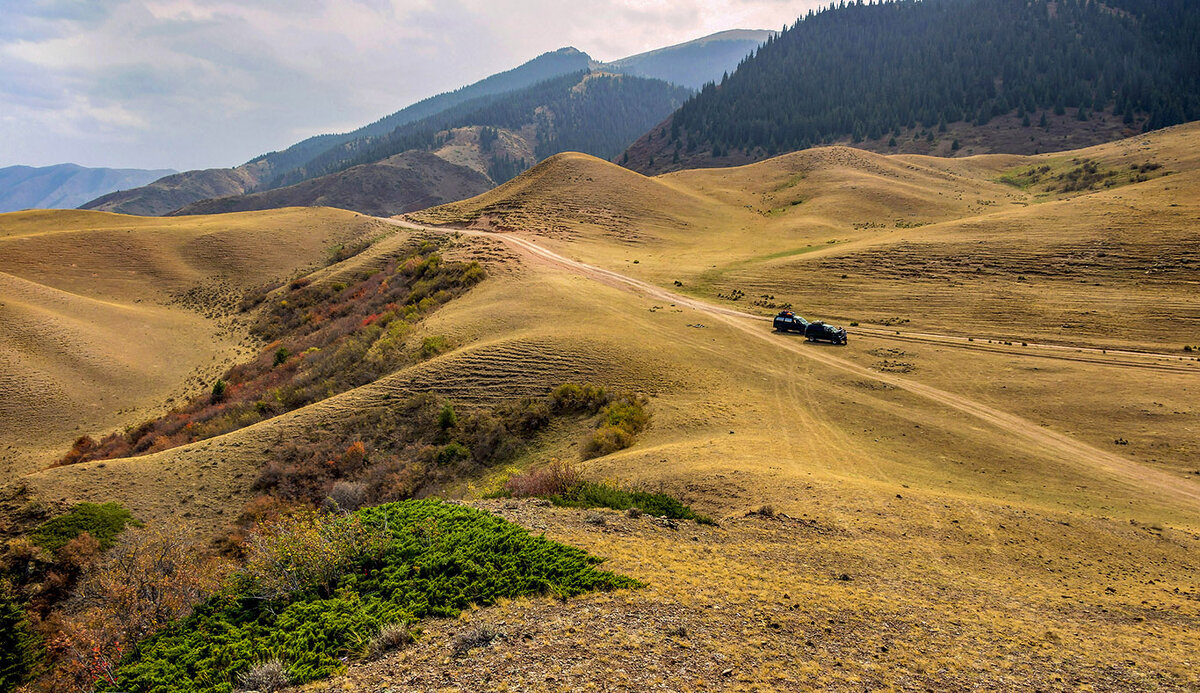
[441, 559]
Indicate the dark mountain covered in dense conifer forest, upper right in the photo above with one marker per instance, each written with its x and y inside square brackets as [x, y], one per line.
[946, 77]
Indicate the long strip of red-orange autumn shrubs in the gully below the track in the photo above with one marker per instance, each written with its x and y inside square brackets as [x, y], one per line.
[319, 341]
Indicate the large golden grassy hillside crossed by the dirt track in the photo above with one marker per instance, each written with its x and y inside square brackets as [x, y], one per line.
[993, 485]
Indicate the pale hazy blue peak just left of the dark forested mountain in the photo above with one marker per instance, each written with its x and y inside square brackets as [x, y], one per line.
[697, 63]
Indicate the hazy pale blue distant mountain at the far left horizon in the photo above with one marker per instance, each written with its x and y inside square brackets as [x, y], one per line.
[65, 186]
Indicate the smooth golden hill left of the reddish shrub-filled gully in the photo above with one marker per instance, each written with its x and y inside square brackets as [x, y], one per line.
[134, 314]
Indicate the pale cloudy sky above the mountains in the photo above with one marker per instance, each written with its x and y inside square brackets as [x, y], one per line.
[212, 83]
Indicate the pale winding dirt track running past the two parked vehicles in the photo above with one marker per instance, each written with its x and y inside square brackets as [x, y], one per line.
[1052, 442]
